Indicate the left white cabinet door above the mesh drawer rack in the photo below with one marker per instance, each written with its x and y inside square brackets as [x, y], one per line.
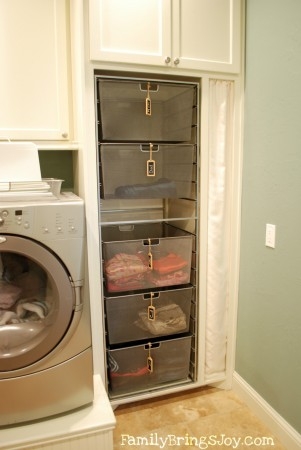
[132, 31]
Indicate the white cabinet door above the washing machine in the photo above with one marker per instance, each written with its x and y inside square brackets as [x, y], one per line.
[33, 76]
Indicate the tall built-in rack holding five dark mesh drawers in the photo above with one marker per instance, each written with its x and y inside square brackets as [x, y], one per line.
[148, 177]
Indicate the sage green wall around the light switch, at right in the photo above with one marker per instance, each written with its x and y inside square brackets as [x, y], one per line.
[268, 353]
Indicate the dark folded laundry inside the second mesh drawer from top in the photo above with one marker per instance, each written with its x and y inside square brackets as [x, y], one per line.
[163, 188]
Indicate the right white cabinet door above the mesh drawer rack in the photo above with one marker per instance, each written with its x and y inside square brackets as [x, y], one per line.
[207, 34]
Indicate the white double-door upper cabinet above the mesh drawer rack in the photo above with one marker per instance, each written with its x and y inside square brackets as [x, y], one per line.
[189, 34]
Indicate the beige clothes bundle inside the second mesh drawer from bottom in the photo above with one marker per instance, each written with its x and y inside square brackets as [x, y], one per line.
[169, 319]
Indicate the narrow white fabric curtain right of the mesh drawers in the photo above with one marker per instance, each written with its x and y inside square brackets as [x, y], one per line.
[220, 151]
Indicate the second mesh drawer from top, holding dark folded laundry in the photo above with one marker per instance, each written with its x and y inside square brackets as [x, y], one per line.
[136, 171]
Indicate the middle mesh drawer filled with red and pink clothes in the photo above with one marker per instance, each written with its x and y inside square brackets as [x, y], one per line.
[145, 256]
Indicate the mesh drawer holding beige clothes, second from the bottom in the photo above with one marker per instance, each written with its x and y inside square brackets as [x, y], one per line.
[148, 315]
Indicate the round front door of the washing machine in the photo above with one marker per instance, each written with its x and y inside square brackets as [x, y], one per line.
[37, 301]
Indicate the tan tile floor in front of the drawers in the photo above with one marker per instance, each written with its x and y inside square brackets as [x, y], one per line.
[205, 418]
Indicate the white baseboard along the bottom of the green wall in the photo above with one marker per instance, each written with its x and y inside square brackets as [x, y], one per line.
[286, 434]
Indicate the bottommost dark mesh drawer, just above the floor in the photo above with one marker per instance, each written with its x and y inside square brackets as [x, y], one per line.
[149, 365]
